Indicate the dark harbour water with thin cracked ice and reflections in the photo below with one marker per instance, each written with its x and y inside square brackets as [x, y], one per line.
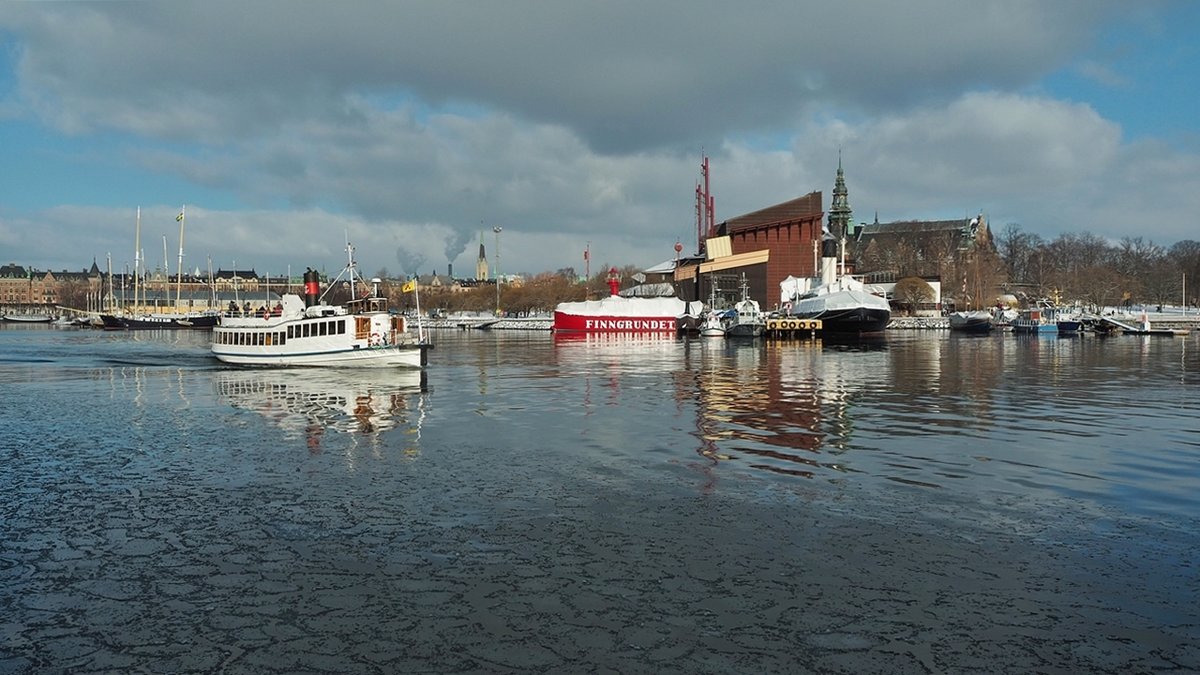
[925, 504]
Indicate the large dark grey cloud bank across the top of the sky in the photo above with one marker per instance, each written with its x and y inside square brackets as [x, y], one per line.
[621, 75]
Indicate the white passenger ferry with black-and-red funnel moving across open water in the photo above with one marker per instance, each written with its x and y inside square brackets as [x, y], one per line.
[308, 332]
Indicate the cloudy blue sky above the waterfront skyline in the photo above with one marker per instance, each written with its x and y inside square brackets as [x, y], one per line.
[415, 130]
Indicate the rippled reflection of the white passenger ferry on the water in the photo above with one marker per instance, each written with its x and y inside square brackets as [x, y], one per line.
[311, 403]
